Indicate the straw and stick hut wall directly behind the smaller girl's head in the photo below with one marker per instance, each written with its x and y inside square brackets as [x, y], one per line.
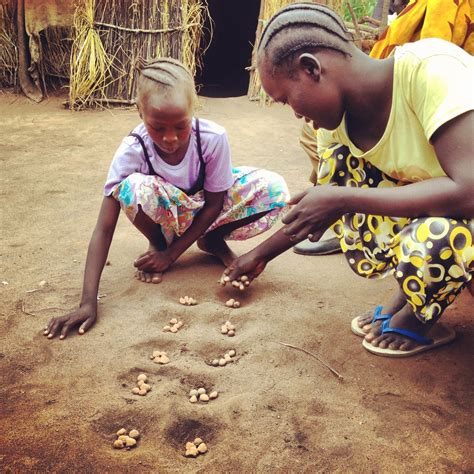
[115, 37]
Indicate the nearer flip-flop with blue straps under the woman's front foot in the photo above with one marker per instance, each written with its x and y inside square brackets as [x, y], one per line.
[440, 335]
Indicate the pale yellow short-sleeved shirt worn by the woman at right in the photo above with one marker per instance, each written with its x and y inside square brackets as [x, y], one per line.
[433, 83]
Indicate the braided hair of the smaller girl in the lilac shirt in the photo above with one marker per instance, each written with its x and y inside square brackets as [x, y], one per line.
[162, 75]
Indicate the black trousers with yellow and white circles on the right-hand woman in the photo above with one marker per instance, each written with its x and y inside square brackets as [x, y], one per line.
[432, 258]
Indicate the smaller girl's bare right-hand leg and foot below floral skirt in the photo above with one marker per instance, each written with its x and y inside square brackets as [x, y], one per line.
[214, 242]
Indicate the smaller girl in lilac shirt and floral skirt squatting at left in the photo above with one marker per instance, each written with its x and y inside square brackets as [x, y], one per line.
[173, 178]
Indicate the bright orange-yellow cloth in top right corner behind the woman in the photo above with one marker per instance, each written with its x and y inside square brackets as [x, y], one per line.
[445, 19]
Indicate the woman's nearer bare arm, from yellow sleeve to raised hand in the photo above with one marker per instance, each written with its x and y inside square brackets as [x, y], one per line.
[447, 196]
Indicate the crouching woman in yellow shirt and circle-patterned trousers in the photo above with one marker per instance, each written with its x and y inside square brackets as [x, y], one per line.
[395, 139]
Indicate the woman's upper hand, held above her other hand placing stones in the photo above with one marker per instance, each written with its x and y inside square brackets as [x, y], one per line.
[314, 211]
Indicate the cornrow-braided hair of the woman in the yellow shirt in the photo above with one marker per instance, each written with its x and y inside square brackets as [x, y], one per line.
[302, 27]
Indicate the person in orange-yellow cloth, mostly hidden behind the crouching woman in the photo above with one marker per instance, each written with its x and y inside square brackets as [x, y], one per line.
[445, 19]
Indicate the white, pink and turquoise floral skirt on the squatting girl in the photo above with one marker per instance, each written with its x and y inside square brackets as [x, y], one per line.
[254, 191]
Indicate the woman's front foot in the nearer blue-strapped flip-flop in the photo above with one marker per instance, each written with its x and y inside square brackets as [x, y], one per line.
[404, 319]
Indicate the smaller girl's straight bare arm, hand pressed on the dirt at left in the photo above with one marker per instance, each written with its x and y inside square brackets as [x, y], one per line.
[86, 315]
